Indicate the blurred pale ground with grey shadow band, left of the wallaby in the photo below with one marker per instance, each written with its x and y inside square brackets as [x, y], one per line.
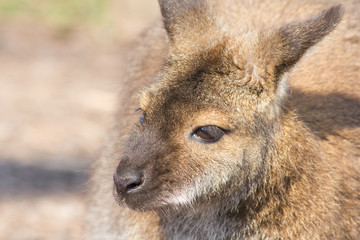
[60, 64]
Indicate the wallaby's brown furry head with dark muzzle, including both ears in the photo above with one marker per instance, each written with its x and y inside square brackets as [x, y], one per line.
[209, 120]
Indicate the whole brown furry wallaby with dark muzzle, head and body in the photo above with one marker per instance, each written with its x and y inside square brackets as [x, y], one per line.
[240, 131]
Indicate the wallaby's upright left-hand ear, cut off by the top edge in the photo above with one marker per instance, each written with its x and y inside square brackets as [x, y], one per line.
[184, 17]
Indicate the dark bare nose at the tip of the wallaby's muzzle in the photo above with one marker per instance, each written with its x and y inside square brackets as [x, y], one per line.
[129, 181]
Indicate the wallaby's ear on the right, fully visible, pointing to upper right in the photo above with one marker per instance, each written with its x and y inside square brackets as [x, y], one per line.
[298, 37]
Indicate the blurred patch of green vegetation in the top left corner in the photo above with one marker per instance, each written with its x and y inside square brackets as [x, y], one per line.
[57, 13]
